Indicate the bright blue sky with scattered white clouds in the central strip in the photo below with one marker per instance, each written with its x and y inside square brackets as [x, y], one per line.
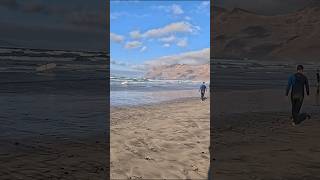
[143, 31]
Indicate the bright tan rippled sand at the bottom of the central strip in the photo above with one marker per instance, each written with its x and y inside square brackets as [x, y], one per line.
[162, 141]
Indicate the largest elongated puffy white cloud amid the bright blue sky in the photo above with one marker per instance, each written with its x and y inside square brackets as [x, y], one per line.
[177, 27]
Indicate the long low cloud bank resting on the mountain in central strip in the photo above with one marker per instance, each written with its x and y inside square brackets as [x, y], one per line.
[189, 58]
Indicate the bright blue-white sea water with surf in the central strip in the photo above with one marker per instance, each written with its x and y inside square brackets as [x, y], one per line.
[136, 90]
